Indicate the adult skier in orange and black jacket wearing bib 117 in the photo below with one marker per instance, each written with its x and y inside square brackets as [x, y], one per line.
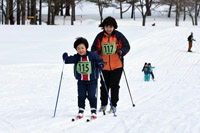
[111, 45]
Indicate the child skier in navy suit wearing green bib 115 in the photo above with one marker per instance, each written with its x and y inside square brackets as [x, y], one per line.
[86, 71]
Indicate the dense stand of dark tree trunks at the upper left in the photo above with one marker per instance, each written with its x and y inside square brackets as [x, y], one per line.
[32, 9]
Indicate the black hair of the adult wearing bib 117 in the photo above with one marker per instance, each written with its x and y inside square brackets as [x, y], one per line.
[109, 21]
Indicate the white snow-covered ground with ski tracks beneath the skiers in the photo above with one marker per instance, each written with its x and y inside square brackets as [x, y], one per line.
[31, 64]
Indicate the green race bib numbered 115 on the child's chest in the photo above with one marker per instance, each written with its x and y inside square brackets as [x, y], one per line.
[84, 67]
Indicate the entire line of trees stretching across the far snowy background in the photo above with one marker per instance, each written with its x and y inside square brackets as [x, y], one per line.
[32, 9]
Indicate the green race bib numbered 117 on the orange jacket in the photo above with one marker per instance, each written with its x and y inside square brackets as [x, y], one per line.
[109, 48]
